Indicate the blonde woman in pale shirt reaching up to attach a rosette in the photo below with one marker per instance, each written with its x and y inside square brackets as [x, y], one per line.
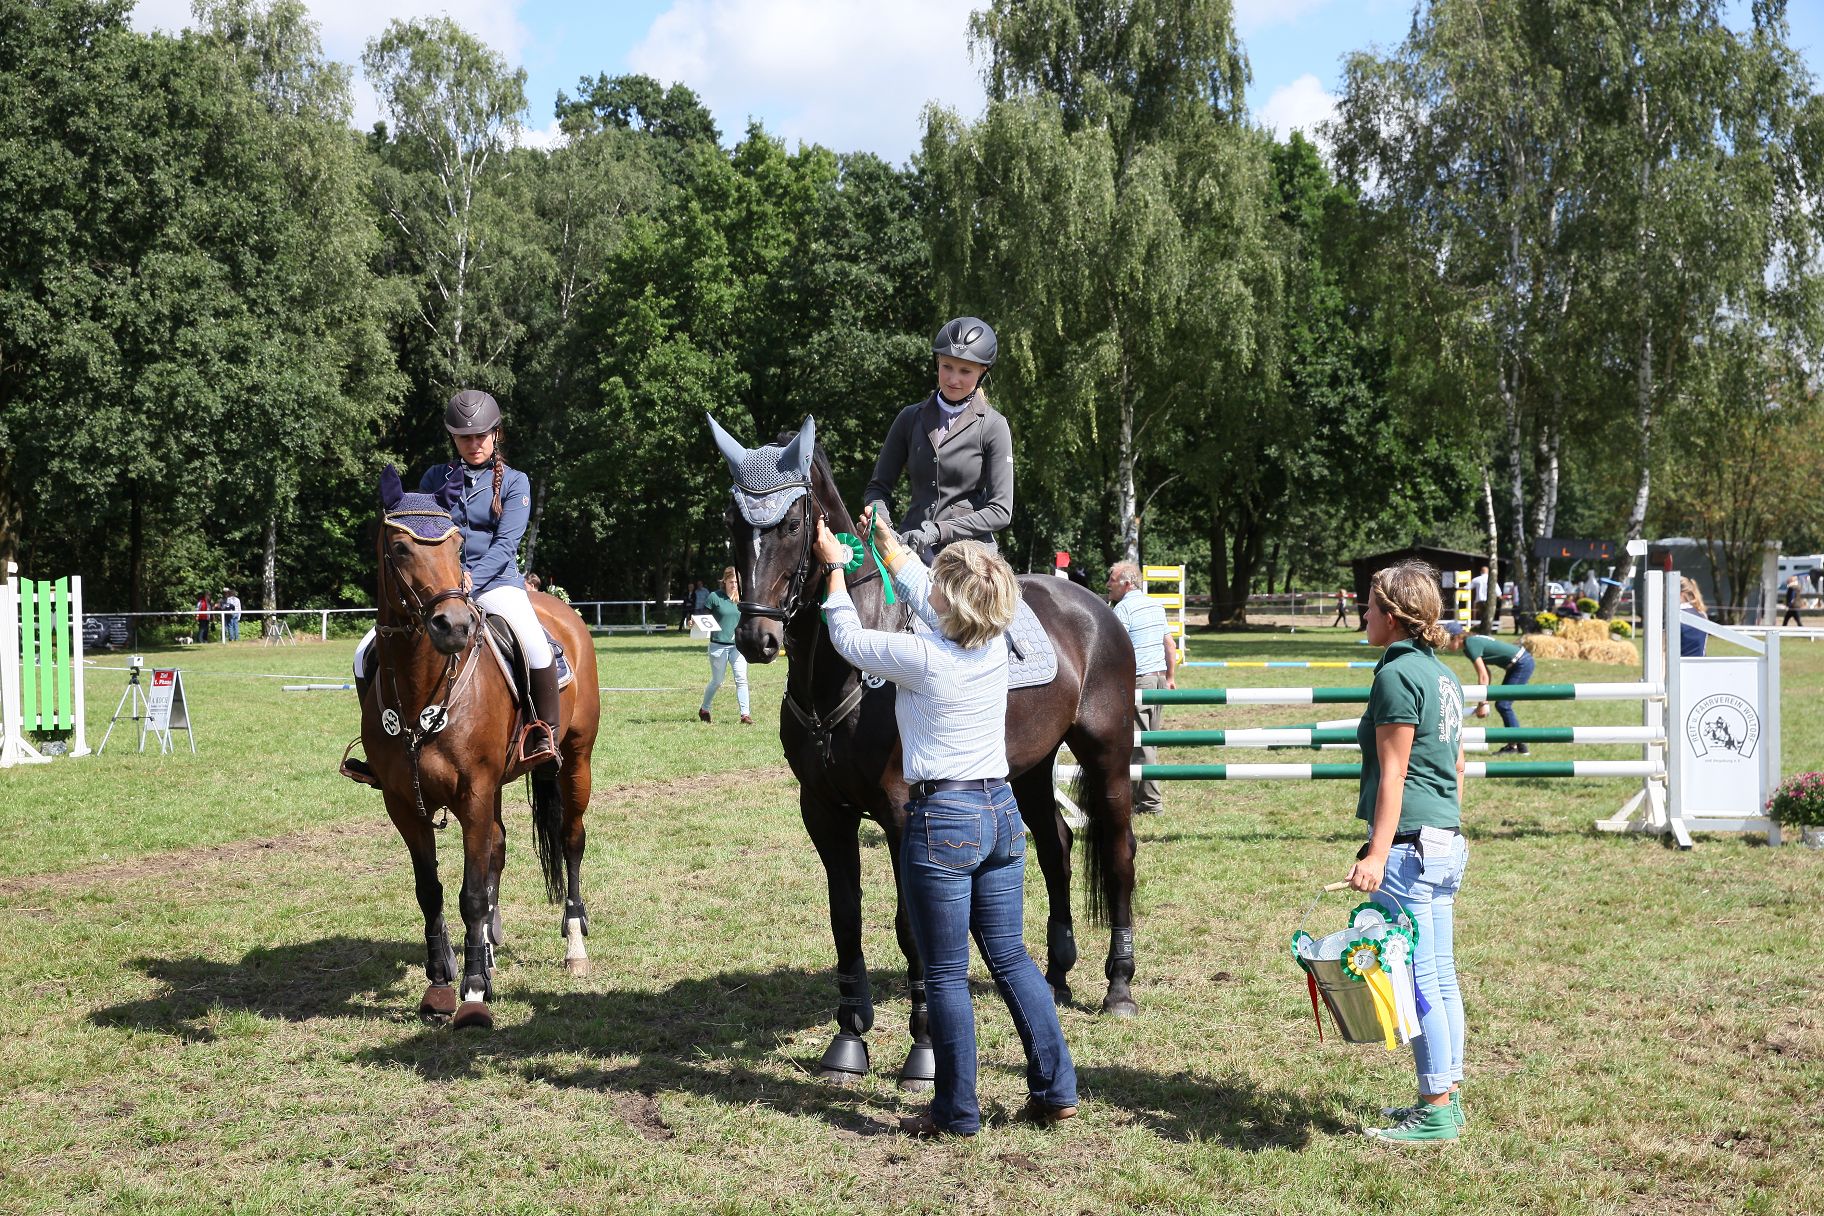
[962, 858]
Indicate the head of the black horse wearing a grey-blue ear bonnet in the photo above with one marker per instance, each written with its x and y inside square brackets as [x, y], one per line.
[772, 519]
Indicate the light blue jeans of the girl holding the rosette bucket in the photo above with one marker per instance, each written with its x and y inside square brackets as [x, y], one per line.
[1429, 892]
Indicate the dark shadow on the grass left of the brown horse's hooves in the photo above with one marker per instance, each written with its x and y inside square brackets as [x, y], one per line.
[327, 978]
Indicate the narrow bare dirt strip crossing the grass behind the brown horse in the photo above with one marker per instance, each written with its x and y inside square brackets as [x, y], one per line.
[180, 863]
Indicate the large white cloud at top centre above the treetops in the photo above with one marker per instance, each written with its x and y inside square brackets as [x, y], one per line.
[845, 74]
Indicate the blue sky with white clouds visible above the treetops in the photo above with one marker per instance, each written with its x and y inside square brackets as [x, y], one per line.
[853, 74]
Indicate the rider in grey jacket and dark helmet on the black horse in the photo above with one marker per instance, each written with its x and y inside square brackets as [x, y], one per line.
[955, 449]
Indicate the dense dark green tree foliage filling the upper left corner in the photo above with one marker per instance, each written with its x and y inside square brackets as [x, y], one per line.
[165, 287]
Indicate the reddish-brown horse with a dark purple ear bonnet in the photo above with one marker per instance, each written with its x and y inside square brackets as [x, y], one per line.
[439, 727]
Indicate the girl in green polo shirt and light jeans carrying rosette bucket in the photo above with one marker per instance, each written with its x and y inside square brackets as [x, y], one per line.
[1411, 798]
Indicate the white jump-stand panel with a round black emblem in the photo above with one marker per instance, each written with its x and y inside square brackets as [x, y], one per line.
[1721, 737]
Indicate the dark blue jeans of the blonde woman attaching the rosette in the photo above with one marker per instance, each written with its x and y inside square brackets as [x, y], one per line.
[962, 872]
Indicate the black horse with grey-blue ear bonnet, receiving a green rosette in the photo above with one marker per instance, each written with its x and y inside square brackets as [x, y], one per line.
[842, 739]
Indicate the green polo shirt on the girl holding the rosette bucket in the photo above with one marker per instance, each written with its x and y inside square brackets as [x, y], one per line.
[1413, 688]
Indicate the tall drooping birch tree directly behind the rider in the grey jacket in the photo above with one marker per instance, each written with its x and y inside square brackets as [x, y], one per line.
[1108, 216]
